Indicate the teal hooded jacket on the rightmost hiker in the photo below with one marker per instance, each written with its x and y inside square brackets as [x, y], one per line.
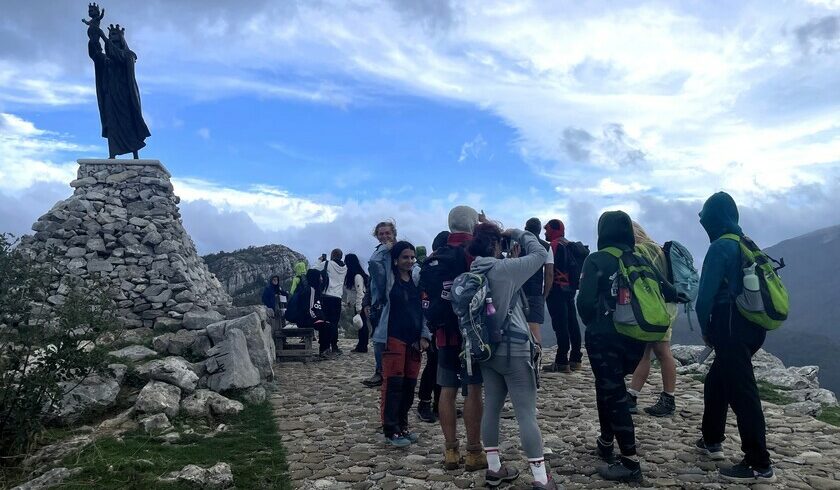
[721, 276]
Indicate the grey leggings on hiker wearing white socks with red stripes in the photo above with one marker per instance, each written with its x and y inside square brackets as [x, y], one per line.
[505, 375]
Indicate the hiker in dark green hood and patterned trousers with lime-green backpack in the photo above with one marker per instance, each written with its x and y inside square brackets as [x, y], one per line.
[622, 303]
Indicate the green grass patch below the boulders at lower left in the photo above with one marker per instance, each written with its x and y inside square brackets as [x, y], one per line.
[251, 446]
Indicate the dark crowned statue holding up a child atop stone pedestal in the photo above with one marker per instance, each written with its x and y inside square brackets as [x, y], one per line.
[116, 87]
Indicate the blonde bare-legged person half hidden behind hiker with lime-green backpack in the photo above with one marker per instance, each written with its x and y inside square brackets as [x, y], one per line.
[665, 406]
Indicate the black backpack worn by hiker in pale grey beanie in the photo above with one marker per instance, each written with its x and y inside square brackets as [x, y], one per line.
[436, 276]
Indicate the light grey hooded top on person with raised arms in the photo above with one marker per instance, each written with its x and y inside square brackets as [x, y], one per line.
[505, 278]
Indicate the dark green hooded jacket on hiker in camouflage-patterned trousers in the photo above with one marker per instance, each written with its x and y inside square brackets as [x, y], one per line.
[614, 230]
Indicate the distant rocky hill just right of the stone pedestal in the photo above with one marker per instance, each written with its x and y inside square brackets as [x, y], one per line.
[244, 273]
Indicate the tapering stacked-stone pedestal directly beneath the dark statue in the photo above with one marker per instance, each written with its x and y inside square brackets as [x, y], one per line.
[122, 227]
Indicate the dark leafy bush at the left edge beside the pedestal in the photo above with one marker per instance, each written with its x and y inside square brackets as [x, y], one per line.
[45, 351]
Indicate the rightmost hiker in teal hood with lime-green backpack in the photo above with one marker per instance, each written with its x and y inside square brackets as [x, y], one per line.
[736, 328]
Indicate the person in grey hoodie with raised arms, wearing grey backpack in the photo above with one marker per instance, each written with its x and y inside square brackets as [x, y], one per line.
[510, 347]
